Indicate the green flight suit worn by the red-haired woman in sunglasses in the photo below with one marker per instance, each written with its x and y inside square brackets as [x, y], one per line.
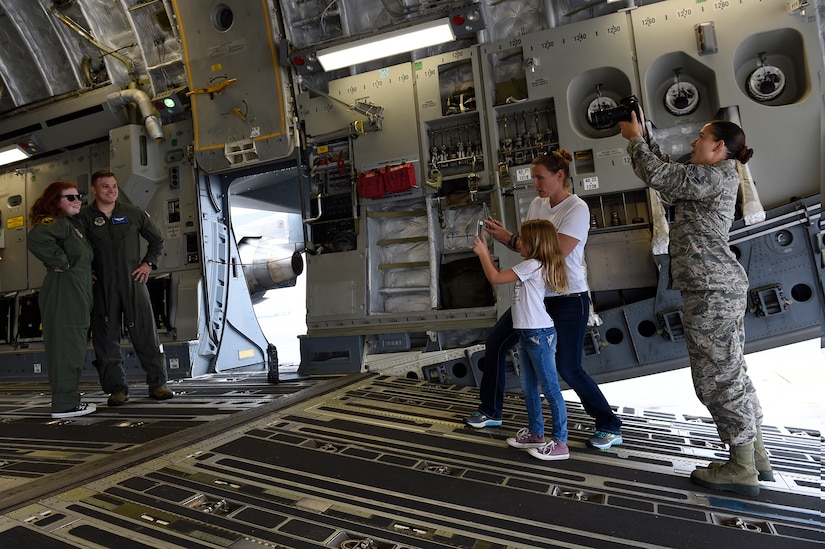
[65, 302]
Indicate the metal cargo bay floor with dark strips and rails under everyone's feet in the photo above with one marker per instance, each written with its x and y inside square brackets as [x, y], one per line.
[370, 461]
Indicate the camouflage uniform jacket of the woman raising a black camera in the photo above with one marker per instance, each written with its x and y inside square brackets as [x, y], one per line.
[705, 200]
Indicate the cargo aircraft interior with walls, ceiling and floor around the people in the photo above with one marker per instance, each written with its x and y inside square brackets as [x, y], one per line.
[367, 167]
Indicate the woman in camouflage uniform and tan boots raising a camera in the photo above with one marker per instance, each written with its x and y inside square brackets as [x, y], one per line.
[714, 289]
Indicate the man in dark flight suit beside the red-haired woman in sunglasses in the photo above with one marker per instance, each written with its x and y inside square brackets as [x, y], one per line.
[114, 229]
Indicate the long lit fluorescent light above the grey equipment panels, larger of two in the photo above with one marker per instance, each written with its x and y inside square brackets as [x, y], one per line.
[386, 45]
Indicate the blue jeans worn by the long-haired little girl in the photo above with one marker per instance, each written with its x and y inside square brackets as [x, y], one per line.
[537, 349]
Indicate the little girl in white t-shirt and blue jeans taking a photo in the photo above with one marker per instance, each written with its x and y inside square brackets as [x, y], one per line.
[543, 268]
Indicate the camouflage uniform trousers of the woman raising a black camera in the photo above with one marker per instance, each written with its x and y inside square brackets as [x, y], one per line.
[715, 336]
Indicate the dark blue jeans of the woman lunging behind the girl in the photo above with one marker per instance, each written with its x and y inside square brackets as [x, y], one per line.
[569, 314]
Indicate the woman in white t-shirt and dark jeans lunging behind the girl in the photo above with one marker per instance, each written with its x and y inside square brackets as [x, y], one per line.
[570, 216]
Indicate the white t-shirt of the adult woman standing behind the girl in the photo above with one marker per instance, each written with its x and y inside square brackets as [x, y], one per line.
[571, 217]
